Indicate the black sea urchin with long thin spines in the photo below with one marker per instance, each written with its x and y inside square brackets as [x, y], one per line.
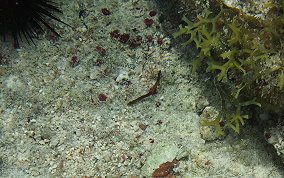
[26, 18]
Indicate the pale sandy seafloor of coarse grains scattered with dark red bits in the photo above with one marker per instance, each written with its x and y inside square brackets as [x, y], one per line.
[52, 123]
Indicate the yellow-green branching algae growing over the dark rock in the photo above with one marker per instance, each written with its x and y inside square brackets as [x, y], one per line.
[241, 52]
